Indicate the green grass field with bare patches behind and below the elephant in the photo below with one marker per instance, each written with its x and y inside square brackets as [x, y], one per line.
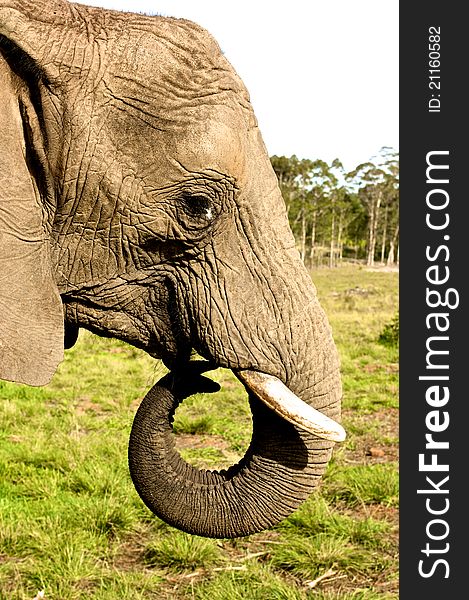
[73, 527]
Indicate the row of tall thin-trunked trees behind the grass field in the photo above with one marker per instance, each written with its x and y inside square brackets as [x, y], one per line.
[330, 209]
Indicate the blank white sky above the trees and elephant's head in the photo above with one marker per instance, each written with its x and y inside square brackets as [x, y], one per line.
[322, 74]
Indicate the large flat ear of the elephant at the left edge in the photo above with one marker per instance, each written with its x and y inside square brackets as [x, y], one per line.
[31, 314]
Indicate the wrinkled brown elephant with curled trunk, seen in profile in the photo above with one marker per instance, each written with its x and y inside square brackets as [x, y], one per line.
[138, 201]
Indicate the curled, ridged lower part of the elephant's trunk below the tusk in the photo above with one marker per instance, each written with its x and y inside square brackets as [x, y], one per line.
[282, 465]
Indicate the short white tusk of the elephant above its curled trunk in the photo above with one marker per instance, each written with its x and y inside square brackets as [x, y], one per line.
[285, 403]
